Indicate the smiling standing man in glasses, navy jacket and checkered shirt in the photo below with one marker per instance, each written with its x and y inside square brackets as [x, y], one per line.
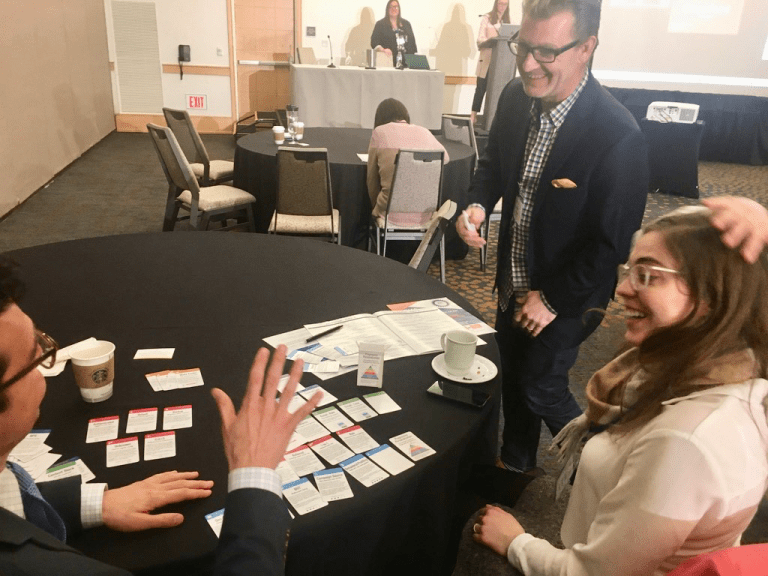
[571, 165]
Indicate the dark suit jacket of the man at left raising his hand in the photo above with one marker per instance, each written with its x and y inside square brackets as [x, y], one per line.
[253, 539]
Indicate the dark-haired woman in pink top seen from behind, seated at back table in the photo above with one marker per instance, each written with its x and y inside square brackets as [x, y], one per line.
[393, 131]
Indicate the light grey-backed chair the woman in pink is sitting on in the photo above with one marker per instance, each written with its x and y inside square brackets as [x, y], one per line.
[413, 201]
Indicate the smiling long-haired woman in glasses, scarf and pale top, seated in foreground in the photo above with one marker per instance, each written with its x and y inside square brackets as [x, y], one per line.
[678, 462]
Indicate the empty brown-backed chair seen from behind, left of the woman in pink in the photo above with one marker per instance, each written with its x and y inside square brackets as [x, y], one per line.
[304, 202]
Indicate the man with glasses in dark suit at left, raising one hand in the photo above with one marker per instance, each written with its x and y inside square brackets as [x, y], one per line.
[35, 520]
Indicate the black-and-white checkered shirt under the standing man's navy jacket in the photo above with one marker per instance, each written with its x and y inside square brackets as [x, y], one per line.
[541, 138]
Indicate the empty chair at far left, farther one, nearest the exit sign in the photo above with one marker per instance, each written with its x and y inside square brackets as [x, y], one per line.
[208, 172]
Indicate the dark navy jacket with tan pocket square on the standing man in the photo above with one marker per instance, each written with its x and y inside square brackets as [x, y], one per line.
[578, 236]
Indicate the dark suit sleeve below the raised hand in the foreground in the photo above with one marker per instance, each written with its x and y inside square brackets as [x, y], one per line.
[254, 534]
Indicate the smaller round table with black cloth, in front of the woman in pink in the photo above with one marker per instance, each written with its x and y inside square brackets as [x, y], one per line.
[256, 172]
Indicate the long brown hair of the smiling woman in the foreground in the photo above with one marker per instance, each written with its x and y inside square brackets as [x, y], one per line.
[729, 314]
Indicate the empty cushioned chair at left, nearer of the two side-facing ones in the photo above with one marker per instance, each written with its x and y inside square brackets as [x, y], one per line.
[209, 204]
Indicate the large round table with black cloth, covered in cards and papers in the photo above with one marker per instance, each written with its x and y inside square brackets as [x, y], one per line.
[214, 297]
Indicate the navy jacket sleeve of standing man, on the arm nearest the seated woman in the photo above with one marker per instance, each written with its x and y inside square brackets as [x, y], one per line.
[617, 194]
